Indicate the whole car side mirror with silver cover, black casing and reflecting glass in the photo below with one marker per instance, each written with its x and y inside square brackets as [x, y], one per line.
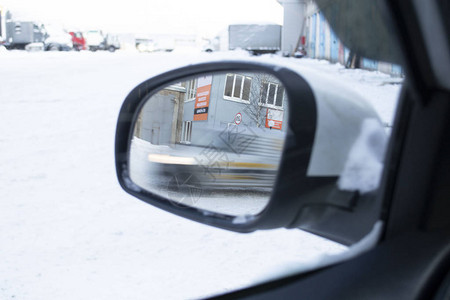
[242, 146]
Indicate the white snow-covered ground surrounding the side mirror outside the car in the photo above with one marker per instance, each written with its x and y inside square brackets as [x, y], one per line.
[68, 231]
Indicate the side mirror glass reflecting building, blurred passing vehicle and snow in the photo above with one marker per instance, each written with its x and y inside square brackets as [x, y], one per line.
[212, 142]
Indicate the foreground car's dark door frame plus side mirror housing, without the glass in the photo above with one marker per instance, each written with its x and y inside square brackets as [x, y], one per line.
[397, 230]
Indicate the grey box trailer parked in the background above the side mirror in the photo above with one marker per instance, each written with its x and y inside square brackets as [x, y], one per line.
[256, 38]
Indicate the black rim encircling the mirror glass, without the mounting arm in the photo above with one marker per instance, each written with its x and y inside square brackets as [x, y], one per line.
[298, 154]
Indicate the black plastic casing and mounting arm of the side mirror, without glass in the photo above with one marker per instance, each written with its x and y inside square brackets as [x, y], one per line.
[297, 200]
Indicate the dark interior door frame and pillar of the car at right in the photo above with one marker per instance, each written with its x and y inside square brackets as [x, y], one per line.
[411, 260]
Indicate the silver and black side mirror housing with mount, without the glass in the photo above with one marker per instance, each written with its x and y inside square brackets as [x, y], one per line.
[325, 120]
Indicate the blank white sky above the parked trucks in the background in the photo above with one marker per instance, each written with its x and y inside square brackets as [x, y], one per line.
[202, 17]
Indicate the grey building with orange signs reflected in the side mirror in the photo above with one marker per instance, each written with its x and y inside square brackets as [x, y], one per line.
[192, 111]
